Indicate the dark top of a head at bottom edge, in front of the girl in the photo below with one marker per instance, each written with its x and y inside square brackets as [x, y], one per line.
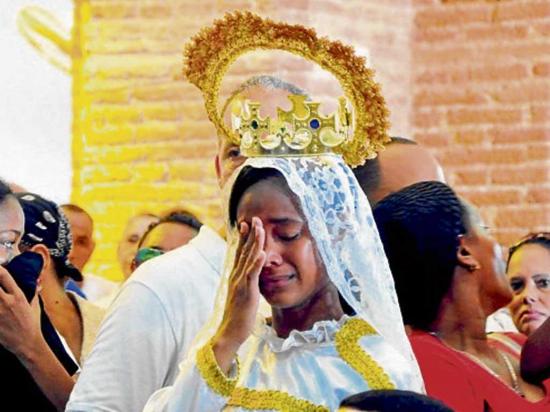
[394, 400]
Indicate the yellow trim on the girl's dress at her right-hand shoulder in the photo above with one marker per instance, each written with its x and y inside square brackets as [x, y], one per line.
[347, 345]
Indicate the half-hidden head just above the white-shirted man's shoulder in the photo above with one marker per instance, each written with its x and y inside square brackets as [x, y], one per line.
[174, 229]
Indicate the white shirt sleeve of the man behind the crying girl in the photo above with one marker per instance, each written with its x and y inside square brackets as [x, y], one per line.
[133, 351]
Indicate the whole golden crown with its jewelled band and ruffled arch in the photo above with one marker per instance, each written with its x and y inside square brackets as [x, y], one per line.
[215, 48]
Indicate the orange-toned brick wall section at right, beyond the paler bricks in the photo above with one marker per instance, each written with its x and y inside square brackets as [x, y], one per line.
[481, 101]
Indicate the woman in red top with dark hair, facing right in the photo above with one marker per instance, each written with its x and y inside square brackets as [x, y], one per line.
[449, 276]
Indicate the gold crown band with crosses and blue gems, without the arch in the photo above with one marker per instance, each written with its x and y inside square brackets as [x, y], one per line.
[300, 131]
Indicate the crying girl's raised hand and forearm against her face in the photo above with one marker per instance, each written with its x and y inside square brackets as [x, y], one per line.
[243, 295]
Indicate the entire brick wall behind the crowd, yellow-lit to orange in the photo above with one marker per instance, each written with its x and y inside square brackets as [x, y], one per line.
[468, 80]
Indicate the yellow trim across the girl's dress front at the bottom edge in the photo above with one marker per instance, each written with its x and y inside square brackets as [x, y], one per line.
[272, 400]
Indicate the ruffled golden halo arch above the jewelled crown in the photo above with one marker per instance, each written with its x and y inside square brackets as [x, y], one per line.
[210, 53]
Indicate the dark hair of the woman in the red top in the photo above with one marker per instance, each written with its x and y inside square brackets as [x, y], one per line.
[420, 227]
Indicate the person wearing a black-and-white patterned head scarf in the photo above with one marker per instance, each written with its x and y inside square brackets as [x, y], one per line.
[47, 233]
